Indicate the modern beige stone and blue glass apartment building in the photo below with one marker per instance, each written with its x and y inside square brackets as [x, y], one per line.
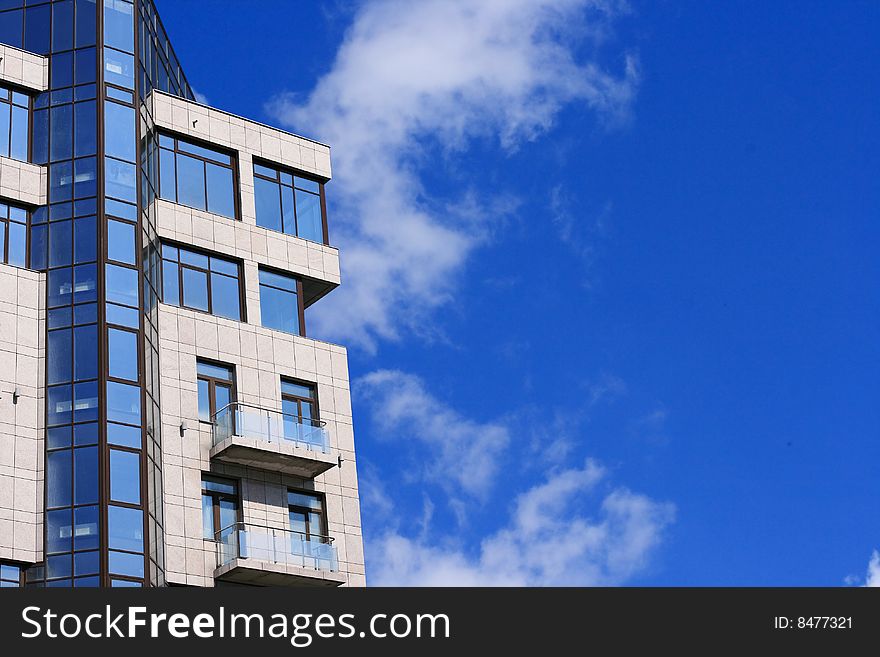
[164, 420]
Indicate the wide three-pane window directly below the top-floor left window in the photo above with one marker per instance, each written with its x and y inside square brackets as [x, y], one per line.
[195, 280]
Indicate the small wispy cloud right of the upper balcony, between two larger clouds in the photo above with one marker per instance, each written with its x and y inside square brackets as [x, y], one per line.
[463, 454]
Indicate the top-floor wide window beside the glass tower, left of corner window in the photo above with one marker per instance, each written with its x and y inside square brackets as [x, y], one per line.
[196, 176]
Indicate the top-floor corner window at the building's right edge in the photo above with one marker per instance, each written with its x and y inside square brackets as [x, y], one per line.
[289, 204]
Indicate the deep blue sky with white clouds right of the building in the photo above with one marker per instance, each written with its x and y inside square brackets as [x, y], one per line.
[610, 277]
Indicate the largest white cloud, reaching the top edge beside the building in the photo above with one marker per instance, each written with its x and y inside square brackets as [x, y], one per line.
[414, 77]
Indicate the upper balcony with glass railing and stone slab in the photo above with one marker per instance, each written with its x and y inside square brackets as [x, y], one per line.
[256, 437]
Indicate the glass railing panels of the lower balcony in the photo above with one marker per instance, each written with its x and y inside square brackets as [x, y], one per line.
[281, 546]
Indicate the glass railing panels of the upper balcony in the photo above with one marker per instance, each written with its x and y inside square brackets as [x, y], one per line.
[249, 421]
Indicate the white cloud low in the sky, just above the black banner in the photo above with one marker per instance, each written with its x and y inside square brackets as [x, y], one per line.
[549, 540]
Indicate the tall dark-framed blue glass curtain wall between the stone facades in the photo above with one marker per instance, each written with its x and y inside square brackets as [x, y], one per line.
[103, 478]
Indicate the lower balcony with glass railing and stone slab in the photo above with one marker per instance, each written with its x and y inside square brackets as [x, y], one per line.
[266, 556]
